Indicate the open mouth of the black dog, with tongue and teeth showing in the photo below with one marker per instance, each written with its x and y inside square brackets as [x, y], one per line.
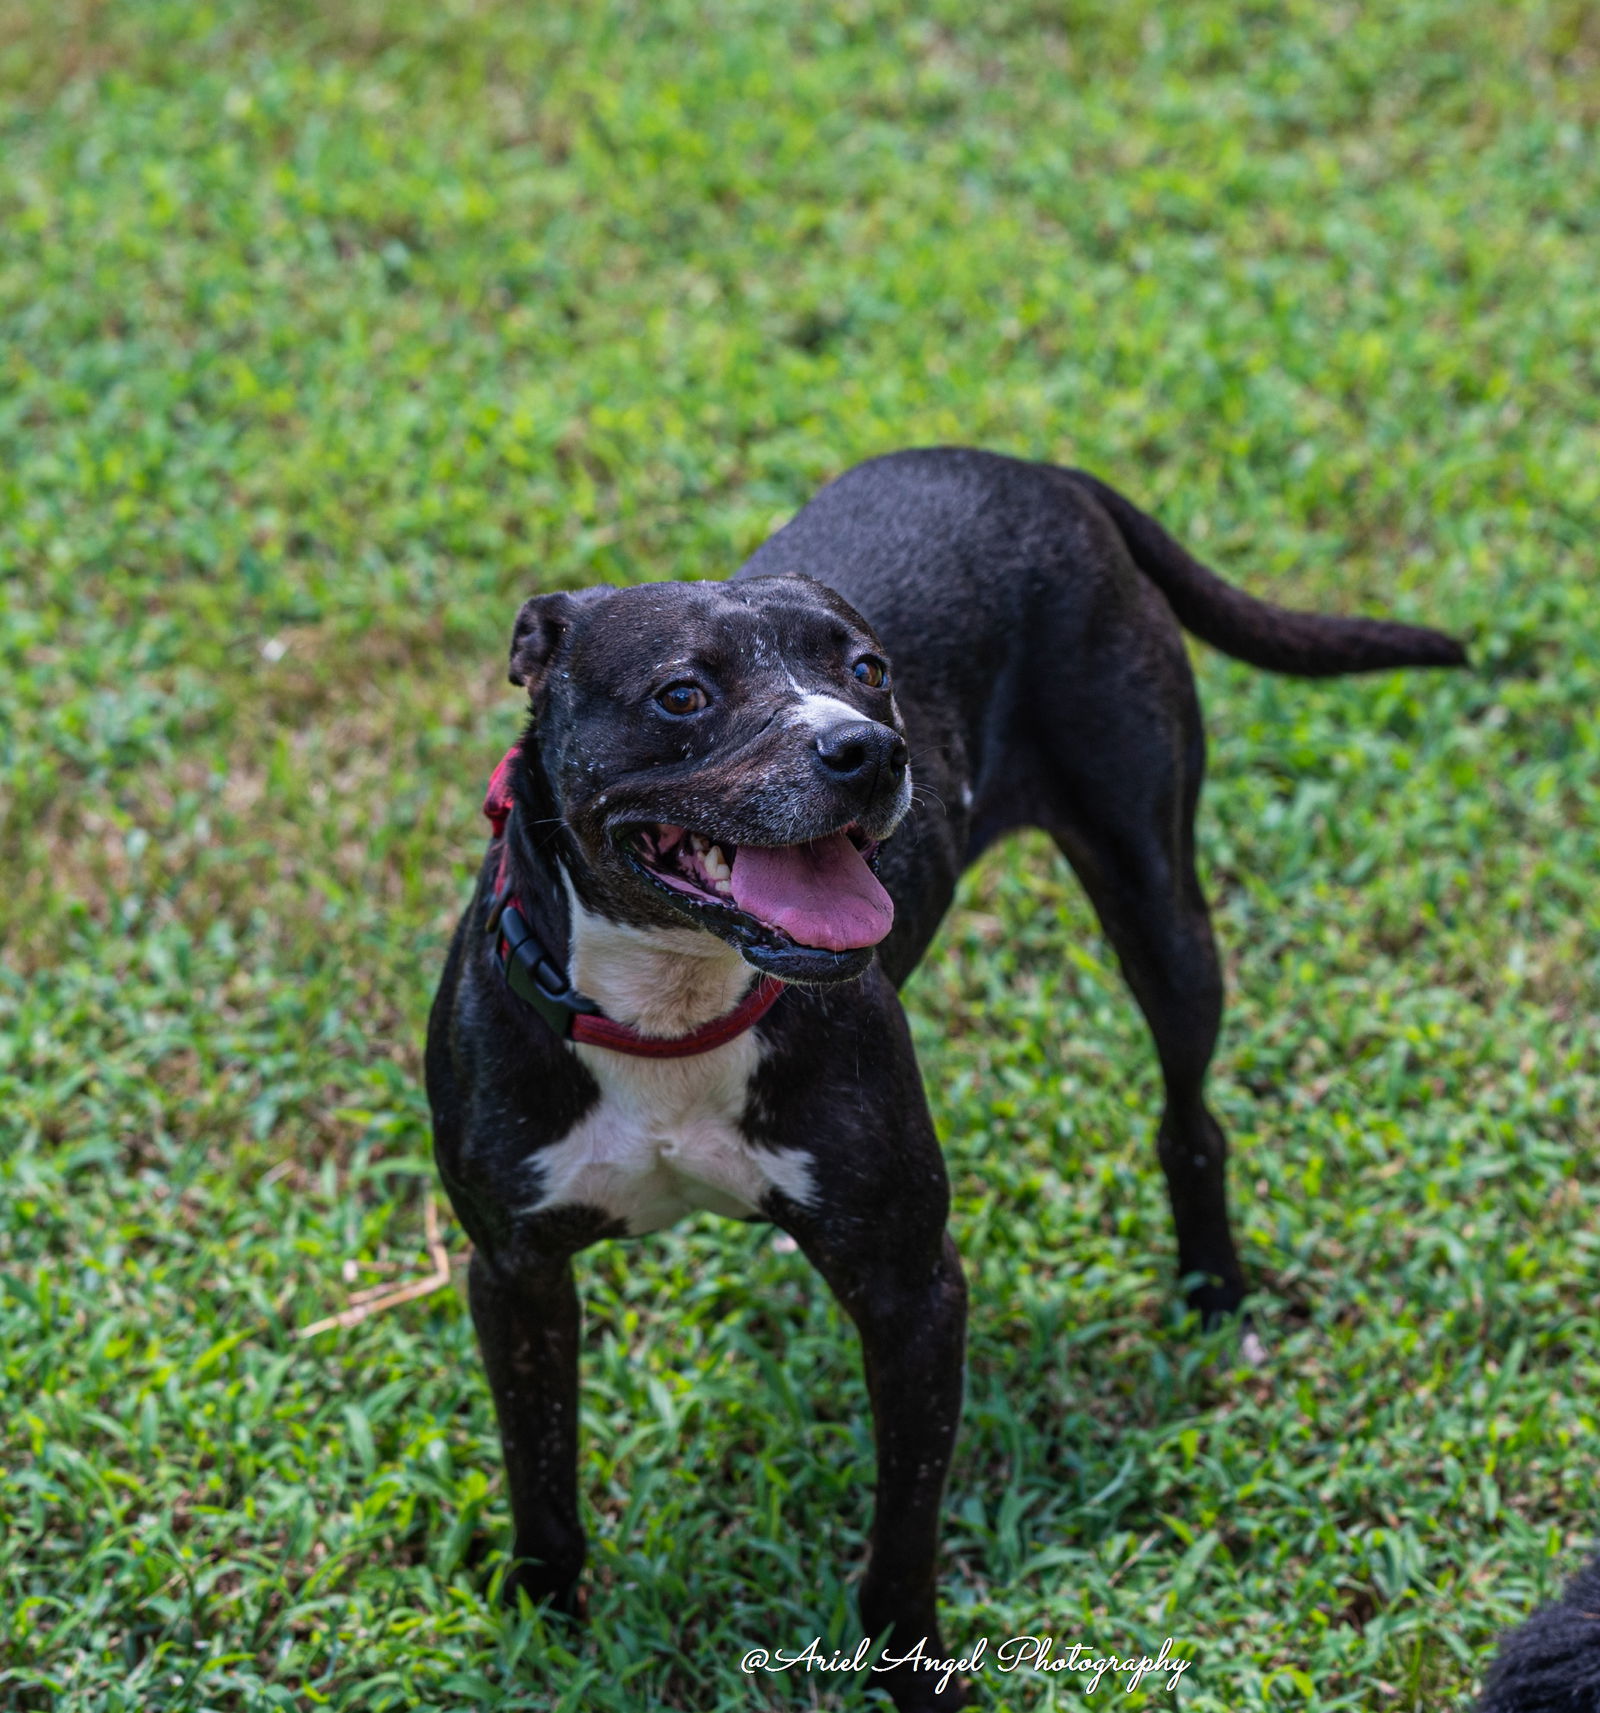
[821, 895]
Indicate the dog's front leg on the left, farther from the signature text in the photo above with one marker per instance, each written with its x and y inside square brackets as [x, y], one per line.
[528, 1330]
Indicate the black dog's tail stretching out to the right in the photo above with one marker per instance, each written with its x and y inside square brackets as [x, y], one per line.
[1306, 645]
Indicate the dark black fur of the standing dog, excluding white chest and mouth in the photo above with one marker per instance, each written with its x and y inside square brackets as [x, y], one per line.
[1041, 679]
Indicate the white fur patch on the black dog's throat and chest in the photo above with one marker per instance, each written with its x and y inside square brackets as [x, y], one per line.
[666, 1137]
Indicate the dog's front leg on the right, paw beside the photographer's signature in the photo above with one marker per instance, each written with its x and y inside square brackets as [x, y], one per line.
[910, 1310]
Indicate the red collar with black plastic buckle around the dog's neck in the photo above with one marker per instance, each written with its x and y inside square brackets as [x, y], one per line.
[535, 977]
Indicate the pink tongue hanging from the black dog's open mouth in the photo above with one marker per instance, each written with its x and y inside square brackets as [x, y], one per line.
[820, 895]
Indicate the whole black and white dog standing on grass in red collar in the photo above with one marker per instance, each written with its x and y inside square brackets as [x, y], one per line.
[676, 986]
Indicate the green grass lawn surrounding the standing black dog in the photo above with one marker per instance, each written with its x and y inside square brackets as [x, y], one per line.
[328, 335]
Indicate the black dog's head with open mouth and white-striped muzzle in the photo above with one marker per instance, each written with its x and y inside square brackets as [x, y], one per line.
[725, 753]
